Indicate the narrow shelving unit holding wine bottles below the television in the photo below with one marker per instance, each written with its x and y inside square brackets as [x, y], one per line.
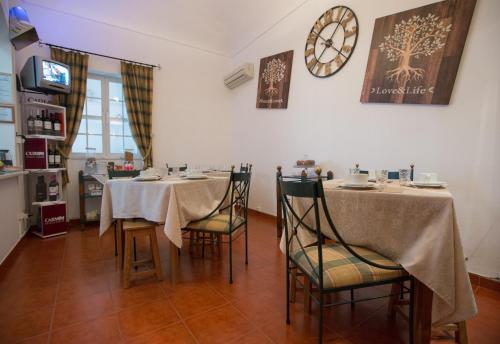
[48, 218]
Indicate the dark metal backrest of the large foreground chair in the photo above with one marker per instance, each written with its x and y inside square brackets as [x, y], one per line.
[312, 190]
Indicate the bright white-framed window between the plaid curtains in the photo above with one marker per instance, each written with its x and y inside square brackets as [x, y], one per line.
[104, 126]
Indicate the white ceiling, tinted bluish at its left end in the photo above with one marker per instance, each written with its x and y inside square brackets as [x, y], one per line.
[220, 26]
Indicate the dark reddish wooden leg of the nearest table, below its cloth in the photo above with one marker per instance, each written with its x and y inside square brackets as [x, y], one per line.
[422, 313]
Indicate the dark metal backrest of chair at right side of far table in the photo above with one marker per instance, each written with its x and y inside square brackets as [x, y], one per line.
[236, 196]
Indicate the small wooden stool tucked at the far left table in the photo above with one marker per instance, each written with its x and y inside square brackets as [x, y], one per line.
[132, 229]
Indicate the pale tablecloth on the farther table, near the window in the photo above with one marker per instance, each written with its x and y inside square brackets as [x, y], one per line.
[173, 201]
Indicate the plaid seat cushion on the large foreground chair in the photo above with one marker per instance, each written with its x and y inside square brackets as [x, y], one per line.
[342, 269]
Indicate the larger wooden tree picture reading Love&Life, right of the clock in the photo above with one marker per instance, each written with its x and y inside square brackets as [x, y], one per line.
[415, 54]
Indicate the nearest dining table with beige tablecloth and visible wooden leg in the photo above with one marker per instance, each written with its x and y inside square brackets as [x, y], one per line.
[415, 227]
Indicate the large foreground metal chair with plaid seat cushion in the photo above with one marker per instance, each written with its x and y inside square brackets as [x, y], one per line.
[328, 265]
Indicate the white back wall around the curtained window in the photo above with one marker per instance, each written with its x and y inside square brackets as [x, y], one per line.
[190, 106]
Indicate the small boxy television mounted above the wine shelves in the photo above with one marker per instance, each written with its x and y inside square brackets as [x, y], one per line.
[45, 75]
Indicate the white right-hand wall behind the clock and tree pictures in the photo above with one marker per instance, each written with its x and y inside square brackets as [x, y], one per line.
[326, 120]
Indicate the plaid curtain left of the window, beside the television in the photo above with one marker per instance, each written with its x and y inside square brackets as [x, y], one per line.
[73, 101]
